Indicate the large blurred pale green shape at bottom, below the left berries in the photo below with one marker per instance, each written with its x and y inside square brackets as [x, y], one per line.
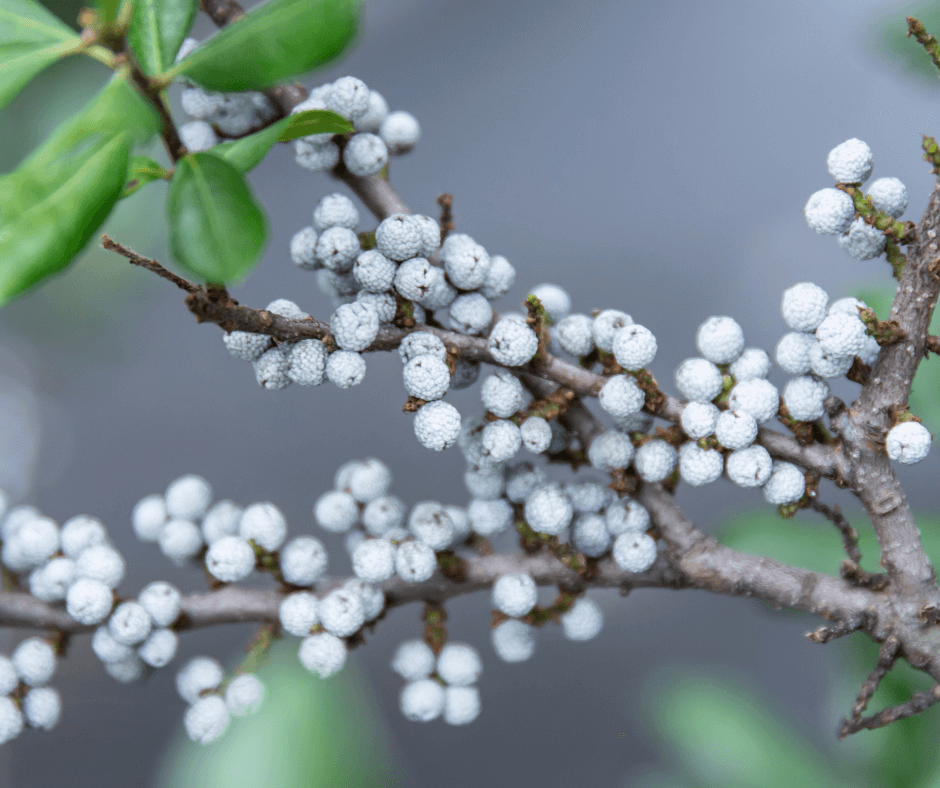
[309, 732]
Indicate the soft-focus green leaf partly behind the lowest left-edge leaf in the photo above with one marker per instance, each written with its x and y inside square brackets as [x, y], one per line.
[117, 110]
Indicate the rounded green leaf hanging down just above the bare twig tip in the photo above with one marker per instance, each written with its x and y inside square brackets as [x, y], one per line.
[216, 230]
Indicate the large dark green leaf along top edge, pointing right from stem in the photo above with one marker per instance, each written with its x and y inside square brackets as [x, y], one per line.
[276, 40]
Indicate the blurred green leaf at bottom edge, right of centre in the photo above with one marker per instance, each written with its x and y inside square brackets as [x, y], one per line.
[724, 736]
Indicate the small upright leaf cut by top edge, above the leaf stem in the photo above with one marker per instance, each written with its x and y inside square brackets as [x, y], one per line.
[157, 31]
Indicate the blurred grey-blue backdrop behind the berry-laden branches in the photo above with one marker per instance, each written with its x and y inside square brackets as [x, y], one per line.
[649, 157]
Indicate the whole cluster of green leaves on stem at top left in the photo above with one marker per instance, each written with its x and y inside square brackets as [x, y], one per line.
[57, 198]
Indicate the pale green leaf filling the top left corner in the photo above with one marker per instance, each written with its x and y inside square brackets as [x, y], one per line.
[31, 38]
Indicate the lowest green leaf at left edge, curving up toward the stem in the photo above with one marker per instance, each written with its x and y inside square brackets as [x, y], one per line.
[43, 238]
